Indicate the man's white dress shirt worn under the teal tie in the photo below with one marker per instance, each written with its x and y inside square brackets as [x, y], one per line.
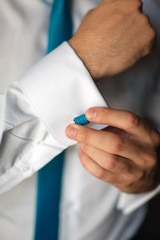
[35, 110]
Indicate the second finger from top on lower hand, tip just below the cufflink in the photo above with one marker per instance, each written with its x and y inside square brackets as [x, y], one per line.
[108, 142]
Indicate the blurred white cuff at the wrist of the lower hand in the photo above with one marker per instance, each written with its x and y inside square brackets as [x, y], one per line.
[130, 202]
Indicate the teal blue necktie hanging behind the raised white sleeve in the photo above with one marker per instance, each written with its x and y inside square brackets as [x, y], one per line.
[50, 176]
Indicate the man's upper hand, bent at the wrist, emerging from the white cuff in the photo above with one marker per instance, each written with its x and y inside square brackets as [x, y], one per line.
[112, 37]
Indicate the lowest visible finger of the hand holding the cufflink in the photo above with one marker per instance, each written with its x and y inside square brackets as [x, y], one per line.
[92, 167]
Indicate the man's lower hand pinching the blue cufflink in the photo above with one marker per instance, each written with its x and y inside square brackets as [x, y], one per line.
[124, 154]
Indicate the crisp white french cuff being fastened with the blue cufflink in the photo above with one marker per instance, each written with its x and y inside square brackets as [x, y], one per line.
[60, 88]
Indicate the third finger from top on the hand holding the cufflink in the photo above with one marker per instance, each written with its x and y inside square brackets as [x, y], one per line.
[110, 162]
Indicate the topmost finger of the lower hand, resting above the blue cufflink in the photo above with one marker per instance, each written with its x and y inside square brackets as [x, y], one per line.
[120, 119]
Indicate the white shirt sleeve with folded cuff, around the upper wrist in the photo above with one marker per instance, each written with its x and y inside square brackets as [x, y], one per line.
[35, 110]
